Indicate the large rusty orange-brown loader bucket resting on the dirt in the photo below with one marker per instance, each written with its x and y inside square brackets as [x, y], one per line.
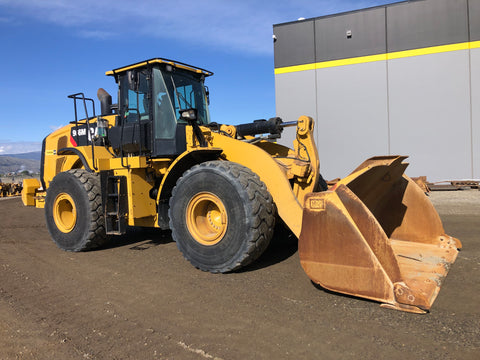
[376, 235]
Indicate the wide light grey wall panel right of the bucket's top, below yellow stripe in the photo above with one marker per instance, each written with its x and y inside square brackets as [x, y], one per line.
[429, 108]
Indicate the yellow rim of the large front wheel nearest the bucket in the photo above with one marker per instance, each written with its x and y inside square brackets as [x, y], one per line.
[207, 218]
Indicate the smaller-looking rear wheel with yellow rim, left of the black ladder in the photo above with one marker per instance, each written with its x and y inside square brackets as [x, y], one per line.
[73, 211]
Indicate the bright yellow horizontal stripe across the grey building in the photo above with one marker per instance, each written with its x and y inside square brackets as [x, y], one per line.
[380, 57]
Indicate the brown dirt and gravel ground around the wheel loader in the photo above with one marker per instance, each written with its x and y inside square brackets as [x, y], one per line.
[139, 299]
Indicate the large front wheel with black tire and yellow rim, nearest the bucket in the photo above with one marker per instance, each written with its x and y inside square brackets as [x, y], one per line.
[221, 215]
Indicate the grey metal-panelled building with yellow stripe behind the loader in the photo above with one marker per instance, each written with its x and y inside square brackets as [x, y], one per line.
[400, 79]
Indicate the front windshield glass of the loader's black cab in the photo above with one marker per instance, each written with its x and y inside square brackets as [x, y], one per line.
[175, 91]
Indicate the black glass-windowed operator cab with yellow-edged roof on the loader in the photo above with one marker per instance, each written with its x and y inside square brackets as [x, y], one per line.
[152, 95]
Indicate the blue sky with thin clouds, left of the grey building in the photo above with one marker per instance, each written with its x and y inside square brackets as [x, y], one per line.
[53, 48]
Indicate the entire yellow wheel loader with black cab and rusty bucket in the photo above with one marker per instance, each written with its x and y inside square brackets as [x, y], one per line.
[155, 159]
